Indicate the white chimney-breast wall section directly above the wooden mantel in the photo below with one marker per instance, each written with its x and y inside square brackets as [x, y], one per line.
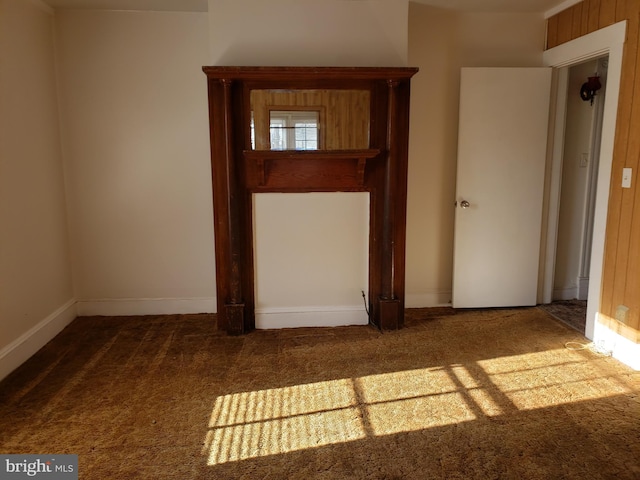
[308, 32]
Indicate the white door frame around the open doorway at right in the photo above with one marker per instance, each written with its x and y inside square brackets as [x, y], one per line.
[606, 41]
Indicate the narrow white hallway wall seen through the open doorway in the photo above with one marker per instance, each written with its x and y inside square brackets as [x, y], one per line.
[575, 178]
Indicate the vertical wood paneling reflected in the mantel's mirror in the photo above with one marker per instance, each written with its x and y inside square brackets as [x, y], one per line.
[344, 120]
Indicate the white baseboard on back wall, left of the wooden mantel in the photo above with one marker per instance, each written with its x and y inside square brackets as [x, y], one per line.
[146, 306]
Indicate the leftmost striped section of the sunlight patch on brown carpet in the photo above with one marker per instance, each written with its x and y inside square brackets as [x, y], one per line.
[275, 421]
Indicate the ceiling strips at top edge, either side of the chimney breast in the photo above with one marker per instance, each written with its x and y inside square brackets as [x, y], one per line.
[503, 6]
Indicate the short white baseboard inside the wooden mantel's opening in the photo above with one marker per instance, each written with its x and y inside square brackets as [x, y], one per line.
[310, 316]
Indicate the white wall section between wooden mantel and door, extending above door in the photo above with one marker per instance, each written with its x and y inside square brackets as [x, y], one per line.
[440, 43]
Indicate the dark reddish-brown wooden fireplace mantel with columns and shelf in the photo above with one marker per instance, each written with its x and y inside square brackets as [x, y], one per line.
[239, 171]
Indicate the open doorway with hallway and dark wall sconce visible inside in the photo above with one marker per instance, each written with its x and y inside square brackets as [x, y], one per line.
[580, 160]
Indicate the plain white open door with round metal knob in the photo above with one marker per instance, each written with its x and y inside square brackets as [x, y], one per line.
[502, 144]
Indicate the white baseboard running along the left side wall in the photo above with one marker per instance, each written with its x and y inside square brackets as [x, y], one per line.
[23, 347]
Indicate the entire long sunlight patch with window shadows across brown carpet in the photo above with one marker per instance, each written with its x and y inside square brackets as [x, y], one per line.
[276, 421]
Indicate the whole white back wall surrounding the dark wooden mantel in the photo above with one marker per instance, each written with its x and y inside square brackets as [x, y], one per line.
[135, 131]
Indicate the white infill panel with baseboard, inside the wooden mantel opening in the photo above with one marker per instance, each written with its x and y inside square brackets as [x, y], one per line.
[311, 258]
